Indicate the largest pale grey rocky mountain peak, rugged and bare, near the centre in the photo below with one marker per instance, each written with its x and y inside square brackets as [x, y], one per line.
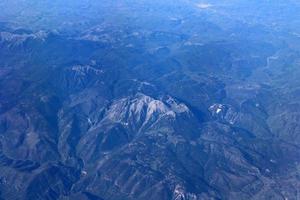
[144, 110]
